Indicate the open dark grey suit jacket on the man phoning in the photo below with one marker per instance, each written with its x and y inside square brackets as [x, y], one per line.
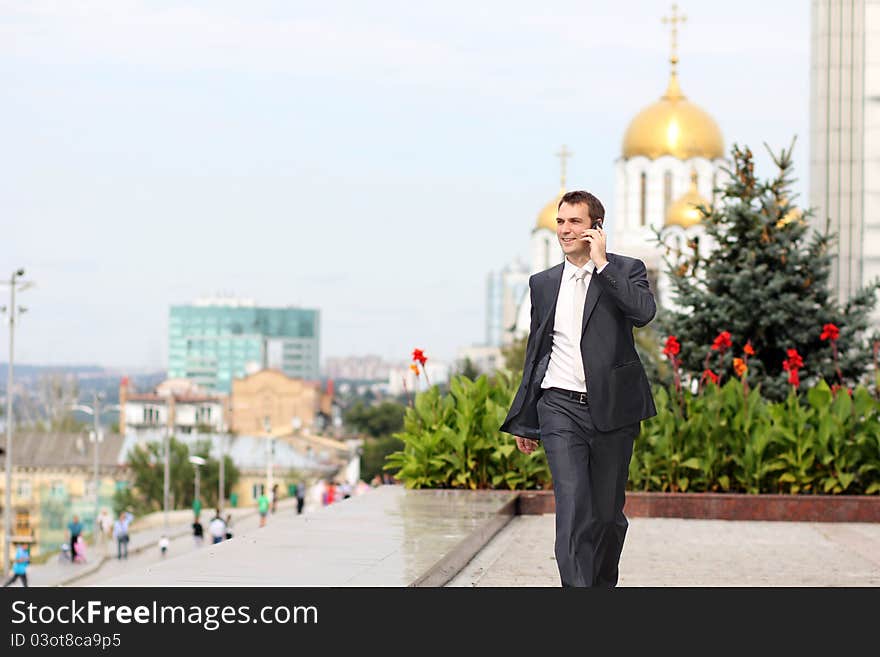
[618, 391]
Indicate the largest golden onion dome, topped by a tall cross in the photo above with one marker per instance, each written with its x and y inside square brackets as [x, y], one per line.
[673, 126]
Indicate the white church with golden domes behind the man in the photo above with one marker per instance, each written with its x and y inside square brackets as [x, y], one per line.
[672, 159]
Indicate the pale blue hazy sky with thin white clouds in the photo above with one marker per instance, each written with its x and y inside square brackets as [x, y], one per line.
[373, 160]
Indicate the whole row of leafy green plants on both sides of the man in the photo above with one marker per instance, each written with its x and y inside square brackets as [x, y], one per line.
[721, 439]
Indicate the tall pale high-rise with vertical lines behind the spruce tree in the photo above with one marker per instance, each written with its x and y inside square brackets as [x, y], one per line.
[845, 139]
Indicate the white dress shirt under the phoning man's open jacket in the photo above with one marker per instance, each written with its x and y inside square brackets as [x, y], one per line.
[566, 345]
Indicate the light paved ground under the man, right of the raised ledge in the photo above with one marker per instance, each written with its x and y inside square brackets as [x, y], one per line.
[674, 552]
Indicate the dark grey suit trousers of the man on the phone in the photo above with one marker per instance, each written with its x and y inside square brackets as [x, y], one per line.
[590, 469]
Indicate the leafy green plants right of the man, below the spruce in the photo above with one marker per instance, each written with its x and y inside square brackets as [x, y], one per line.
[723, 440]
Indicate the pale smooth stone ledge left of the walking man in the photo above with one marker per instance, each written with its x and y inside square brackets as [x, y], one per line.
[388, 536]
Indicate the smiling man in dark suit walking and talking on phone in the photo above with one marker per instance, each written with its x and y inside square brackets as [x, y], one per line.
[584, 391]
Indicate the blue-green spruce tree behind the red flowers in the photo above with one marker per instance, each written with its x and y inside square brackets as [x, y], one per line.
[765, 280]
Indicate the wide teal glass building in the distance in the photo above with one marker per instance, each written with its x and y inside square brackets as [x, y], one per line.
[211, 342]
